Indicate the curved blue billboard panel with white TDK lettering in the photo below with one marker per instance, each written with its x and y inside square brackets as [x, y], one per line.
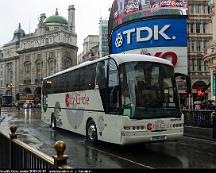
[150, 33]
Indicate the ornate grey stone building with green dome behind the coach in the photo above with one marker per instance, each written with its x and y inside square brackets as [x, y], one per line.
[29, 58]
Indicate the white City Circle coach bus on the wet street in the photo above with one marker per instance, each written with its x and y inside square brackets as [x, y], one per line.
[120, 98]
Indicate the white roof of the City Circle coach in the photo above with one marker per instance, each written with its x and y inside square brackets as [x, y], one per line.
[120, 59]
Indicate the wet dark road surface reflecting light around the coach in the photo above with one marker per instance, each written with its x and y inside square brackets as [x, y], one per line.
[185, 153]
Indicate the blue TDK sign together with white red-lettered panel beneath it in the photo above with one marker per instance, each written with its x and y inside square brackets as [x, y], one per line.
[163, 38]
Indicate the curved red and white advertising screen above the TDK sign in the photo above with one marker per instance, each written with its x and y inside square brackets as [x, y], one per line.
[123, 11]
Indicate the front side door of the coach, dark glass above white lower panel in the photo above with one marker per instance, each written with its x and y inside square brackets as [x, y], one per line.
[108, 83]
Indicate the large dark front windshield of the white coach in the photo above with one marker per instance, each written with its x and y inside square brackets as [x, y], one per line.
[148, 90]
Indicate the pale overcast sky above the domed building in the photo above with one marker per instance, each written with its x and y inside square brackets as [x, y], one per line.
[27, 12]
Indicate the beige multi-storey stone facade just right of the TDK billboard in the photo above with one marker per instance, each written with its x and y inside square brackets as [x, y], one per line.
[199, 35]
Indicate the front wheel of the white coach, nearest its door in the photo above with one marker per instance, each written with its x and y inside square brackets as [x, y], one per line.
[91, 132]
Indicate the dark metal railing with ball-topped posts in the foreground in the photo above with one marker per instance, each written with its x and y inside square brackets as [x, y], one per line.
[14, 154]
